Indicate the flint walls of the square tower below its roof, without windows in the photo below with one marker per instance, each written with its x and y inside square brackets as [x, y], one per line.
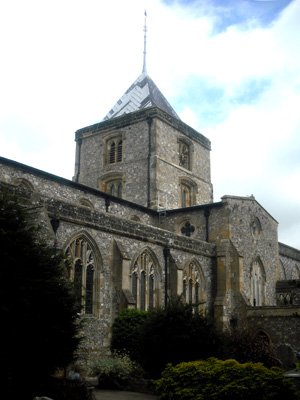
[165, 172]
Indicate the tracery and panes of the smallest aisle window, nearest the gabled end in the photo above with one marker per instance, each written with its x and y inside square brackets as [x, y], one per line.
[192, 285]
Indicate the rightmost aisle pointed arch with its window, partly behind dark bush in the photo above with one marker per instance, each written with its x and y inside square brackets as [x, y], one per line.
[193, 283]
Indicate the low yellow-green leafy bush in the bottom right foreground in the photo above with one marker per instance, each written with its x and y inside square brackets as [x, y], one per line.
[223, 380]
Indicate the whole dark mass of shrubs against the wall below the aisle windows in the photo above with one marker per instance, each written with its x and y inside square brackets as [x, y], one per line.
[166, 335]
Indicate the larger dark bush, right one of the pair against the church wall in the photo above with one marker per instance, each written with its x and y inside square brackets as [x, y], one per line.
[178, 333]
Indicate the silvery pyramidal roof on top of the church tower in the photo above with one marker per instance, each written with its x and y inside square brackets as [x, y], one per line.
[142, 93]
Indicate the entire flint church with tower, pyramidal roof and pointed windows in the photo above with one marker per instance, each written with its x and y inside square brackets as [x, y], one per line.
[138, 224]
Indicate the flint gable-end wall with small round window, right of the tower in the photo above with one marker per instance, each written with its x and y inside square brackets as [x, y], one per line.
[253, 232]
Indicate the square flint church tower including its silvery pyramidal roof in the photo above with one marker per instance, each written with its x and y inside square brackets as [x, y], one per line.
[144, 153]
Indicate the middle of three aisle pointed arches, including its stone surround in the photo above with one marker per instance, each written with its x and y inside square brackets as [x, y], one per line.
[145, 278]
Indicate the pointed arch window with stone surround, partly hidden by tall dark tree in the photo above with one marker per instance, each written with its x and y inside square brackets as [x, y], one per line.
[84, 264]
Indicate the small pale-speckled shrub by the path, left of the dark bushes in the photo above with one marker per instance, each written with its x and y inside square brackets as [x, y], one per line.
[114, 372]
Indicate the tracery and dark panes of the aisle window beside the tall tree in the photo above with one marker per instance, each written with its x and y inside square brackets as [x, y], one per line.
[81, 268]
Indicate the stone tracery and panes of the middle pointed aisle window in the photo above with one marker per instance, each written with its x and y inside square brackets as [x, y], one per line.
[143, 282]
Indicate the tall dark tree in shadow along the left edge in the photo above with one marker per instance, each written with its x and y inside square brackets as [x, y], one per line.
[38, 312]
